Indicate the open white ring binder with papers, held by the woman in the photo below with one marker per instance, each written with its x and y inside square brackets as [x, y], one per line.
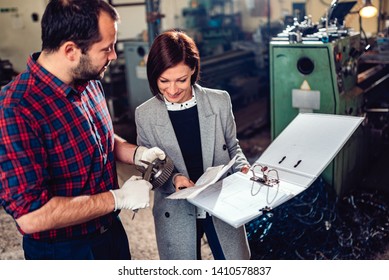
[299, 155]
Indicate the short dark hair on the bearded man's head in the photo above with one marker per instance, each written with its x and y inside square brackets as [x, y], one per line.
[73, 20]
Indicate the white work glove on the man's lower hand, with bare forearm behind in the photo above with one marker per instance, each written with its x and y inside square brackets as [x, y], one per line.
[133, 195]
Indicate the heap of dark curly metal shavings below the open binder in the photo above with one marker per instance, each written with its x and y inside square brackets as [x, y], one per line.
[318, 225]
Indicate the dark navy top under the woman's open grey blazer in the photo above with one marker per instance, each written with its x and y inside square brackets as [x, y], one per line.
[187, 129]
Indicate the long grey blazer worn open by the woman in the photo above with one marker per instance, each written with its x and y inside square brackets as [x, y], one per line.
[175, 220]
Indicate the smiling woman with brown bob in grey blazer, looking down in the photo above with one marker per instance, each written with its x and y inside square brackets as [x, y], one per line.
[195, 127]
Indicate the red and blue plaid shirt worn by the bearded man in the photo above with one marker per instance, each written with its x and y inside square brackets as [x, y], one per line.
[55, 140]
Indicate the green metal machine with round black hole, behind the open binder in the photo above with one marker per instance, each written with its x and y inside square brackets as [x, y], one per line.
[314, 69]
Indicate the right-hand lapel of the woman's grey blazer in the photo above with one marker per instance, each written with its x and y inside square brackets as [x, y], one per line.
[207, 120]
